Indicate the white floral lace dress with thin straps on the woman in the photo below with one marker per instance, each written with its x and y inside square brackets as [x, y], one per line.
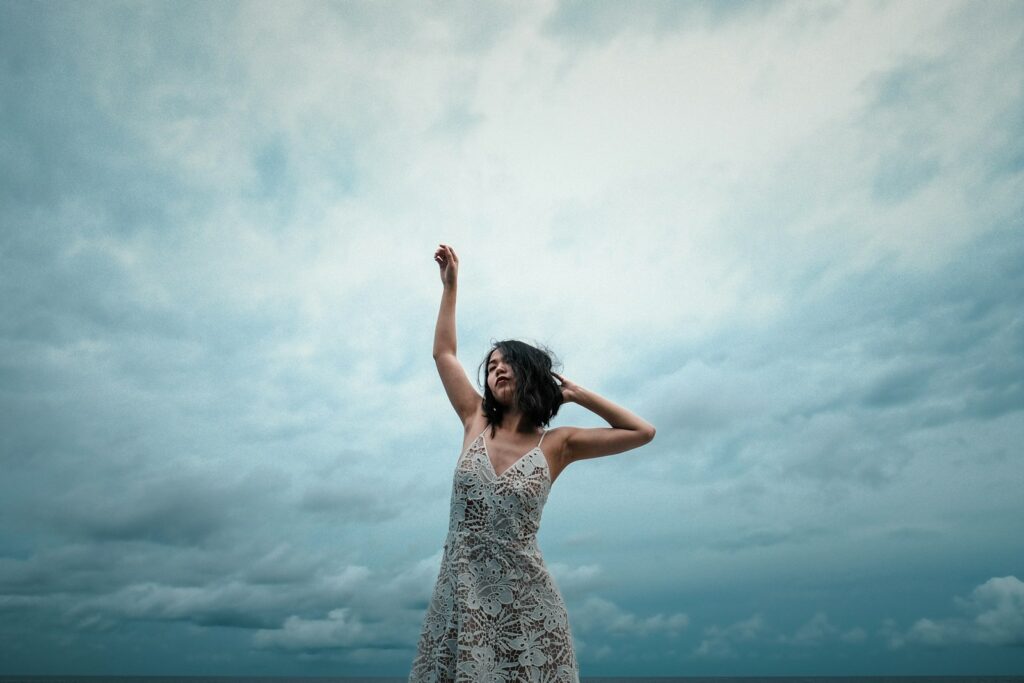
[496, 614]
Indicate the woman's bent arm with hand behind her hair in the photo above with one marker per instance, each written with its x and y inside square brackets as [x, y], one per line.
[628, 432]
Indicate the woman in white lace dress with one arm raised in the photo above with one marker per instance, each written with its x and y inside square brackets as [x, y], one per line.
[496, 615]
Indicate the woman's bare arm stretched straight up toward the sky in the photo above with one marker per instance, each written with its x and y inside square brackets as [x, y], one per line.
[464, 398]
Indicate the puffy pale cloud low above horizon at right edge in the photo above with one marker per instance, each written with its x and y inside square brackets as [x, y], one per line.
[995, 616]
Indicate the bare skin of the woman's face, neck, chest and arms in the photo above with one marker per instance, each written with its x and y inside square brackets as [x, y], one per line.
[517, 435]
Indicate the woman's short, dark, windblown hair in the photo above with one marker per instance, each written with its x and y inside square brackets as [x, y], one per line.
[538, 395]
